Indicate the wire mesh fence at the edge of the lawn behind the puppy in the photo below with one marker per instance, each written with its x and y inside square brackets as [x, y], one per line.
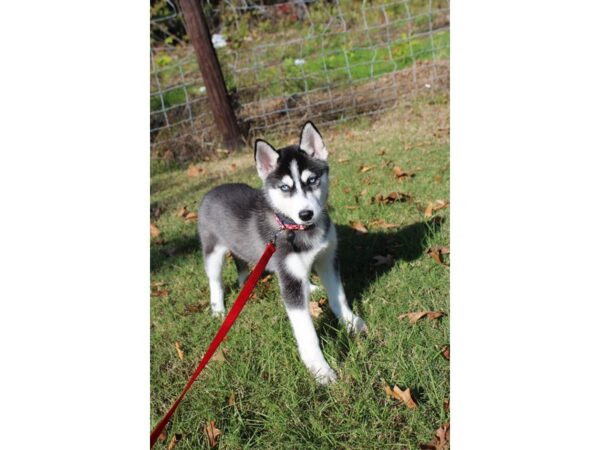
[327, 61]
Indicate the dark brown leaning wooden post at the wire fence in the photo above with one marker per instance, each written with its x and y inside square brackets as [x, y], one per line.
[197, 28]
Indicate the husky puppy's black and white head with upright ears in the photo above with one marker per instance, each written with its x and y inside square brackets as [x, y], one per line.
[295, 178]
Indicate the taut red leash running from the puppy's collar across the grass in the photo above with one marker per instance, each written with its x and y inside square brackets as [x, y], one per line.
[227, 323]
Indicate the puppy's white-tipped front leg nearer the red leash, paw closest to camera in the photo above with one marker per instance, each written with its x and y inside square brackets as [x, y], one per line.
[295, 294]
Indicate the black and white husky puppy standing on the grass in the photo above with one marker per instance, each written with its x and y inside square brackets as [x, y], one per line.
[241, 220]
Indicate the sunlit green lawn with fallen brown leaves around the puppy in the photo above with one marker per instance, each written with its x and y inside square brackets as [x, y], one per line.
[261, 395]
